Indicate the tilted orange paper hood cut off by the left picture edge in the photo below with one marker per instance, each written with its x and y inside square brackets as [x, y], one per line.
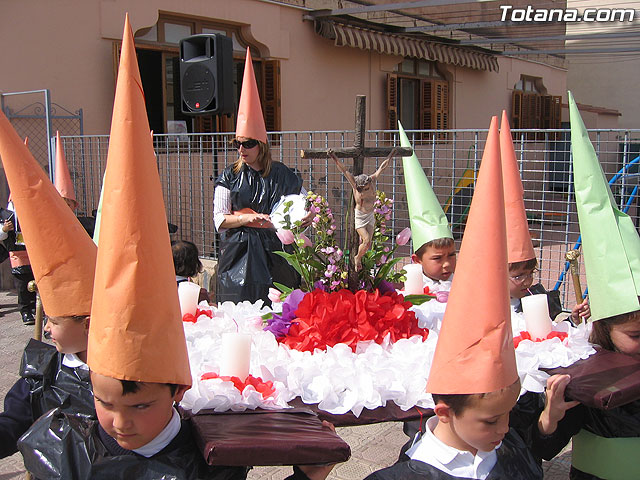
[62, 255]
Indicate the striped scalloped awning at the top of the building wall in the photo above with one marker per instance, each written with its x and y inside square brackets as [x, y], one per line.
[405, 46]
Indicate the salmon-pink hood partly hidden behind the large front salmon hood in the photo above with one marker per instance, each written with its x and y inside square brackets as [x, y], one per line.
[519, 246]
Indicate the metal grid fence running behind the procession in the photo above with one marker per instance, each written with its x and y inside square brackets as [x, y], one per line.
[189, 165]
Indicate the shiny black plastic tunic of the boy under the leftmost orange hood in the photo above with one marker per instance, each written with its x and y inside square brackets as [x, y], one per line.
[44, 384]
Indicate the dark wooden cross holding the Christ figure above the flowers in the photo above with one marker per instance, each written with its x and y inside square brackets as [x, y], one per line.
[358, 152]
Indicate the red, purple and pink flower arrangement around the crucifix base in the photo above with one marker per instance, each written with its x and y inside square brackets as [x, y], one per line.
[324, 313]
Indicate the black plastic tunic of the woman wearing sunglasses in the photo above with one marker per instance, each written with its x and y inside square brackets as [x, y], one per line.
[247, 266]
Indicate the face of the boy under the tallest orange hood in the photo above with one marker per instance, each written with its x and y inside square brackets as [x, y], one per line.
[134, 419]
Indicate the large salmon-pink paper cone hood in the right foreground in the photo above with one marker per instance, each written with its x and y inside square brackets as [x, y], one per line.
[475, 351]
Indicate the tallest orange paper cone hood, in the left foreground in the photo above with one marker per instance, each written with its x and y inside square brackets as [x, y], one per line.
[136, 328]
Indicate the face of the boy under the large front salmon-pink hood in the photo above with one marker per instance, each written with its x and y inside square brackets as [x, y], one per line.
[483, 422]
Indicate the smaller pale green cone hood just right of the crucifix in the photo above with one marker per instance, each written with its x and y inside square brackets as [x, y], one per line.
[428, 221]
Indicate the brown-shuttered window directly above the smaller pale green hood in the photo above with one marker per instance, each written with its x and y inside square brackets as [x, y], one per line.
[419, 103]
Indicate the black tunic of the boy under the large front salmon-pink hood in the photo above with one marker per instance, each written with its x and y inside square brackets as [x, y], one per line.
[515, 462]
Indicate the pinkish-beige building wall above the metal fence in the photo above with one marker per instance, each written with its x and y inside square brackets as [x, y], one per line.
[66, 46]
